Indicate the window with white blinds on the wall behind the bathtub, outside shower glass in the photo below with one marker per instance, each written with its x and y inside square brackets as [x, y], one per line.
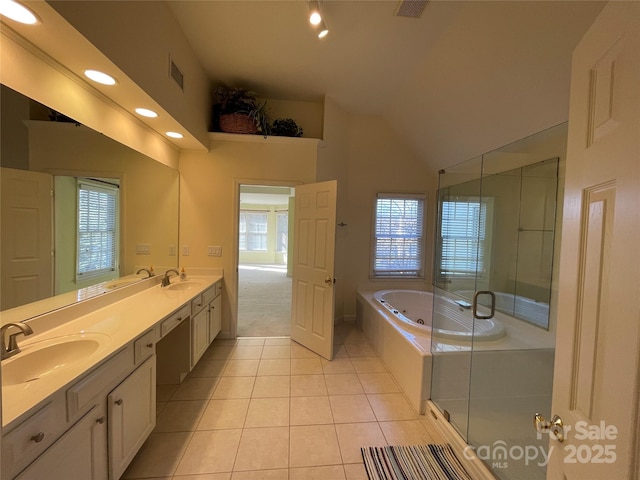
[398, 249]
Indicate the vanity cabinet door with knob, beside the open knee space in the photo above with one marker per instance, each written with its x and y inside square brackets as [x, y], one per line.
[132, 416]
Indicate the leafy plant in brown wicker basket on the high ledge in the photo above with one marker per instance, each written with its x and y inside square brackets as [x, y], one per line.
[240, 111]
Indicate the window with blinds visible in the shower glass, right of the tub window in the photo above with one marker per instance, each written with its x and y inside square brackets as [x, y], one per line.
[464, 236]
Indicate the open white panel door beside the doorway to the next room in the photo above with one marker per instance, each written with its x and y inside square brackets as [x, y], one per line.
[312, 303]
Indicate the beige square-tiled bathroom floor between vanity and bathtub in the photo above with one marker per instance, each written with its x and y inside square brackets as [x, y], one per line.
[269, 409]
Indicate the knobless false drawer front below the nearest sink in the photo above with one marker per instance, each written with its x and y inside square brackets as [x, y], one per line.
[105, 376]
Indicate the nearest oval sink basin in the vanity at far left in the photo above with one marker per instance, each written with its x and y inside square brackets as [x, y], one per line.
[48, 357]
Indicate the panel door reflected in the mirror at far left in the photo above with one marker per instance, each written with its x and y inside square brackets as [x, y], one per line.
[26, 223]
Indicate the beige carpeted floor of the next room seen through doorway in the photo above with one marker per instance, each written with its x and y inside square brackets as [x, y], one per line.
[264, 301]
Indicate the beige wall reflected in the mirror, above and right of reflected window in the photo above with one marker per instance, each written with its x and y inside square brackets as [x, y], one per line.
[149, 190]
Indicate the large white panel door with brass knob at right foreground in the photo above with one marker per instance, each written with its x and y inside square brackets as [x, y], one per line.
[595, 389]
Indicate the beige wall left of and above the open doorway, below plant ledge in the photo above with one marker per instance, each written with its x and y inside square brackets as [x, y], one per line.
[209, 196]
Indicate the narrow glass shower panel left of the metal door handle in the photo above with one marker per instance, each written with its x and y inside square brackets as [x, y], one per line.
[458, 260]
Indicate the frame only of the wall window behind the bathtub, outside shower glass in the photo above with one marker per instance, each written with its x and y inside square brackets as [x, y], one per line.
[415, 274]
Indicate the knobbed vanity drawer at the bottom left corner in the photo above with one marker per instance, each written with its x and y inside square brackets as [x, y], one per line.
[31, 438]
